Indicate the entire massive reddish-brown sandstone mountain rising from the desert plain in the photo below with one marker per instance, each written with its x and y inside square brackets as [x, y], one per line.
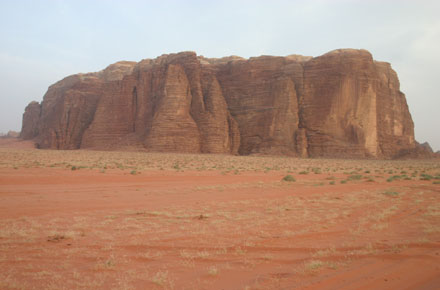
[340, 104]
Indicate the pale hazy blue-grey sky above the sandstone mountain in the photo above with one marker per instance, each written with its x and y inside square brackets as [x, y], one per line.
[43, 41]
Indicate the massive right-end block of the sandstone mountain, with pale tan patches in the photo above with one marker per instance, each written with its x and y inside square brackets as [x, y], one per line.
[352, 106]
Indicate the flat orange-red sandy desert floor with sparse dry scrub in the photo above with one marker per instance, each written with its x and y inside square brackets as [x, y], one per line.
[132, 220]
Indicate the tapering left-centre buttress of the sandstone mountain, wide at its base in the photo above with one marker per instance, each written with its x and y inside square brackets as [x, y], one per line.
[170, 104]
